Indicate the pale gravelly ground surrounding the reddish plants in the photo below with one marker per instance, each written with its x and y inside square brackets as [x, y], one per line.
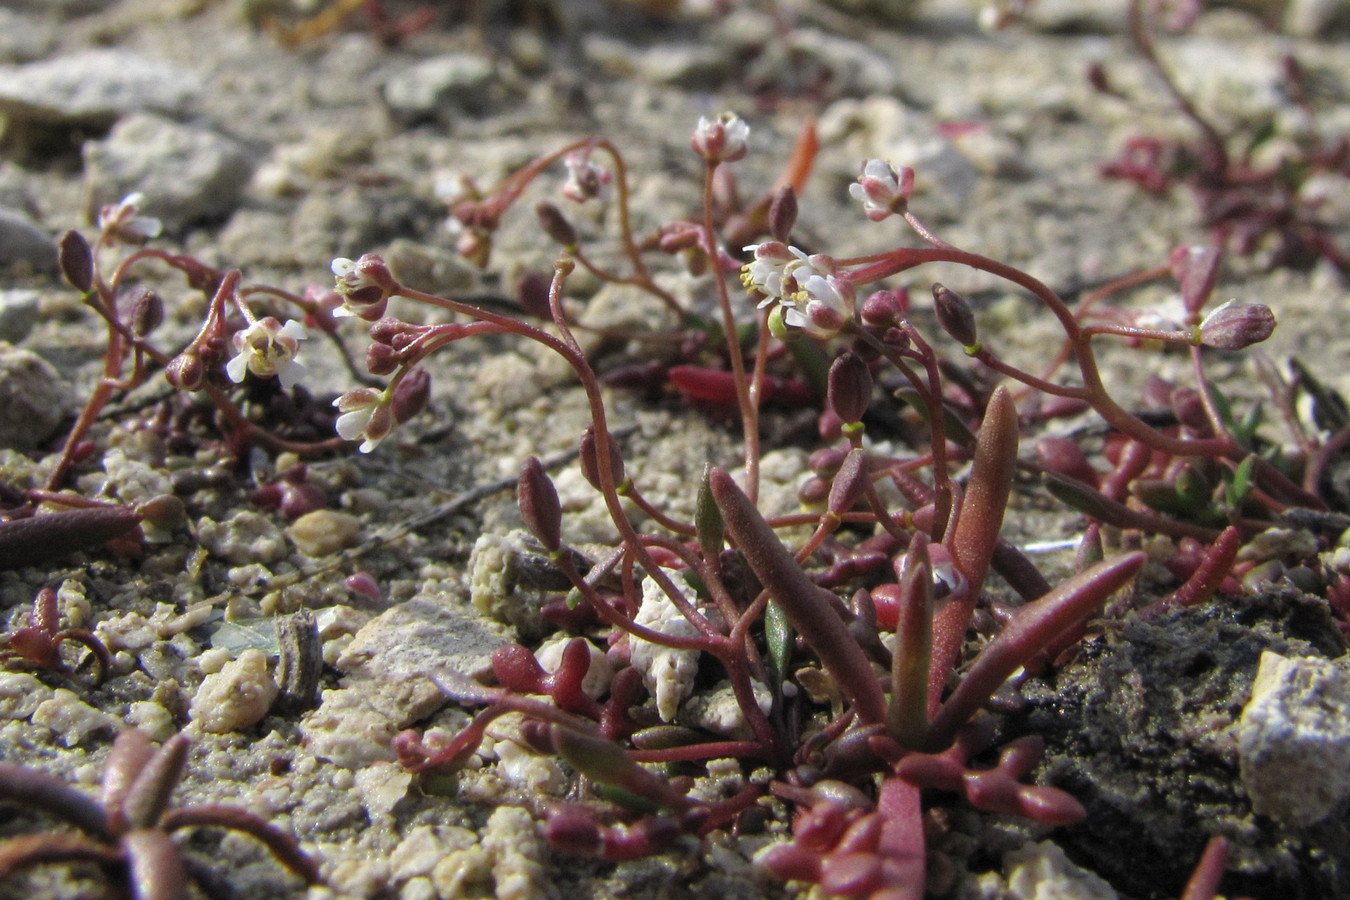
[327, 150]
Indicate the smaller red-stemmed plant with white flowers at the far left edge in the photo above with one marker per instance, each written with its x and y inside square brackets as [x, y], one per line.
[226, 378]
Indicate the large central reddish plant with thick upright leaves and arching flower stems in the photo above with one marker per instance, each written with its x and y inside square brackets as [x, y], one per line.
[846, 701]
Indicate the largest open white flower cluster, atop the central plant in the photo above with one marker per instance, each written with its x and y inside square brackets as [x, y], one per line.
[809, 291]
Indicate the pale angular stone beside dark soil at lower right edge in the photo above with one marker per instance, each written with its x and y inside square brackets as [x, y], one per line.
[1294, 739]
